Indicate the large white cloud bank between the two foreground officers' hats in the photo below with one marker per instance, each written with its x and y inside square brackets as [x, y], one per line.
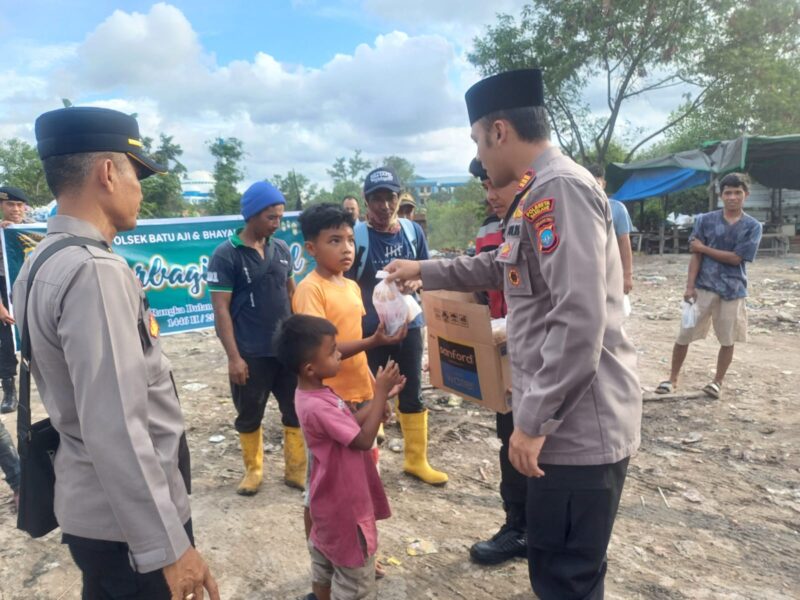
[393, 96]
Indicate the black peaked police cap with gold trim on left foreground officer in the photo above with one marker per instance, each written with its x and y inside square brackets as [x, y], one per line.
[81, 129]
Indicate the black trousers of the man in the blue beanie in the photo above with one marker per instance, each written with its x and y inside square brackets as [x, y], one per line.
[267, 375]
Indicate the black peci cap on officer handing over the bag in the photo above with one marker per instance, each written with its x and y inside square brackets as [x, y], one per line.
[512, 89]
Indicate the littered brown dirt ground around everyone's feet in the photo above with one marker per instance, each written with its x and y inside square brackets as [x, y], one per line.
[710, 510]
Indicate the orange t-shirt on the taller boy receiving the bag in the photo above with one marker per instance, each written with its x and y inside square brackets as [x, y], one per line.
[341, 304]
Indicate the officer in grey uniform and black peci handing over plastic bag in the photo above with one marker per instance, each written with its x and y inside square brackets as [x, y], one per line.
[576, 397]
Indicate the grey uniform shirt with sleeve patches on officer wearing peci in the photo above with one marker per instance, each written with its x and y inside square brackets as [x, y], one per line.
[573, 368]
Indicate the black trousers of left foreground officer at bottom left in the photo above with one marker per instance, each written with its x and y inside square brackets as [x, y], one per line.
[108, 574]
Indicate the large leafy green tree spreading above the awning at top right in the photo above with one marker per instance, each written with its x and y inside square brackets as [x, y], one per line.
[723, 49]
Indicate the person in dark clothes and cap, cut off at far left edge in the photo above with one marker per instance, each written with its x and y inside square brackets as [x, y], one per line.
[12, 204]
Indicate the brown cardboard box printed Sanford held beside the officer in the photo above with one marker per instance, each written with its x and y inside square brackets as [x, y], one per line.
[463, 356]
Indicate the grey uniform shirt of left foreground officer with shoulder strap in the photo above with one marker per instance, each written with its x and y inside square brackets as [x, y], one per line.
[108, 390]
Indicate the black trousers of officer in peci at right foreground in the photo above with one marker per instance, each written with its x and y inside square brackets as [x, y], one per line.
[571, 512]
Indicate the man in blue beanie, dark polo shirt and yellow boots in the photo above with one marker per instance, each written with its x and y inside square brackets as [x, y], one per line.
[250, 278]
